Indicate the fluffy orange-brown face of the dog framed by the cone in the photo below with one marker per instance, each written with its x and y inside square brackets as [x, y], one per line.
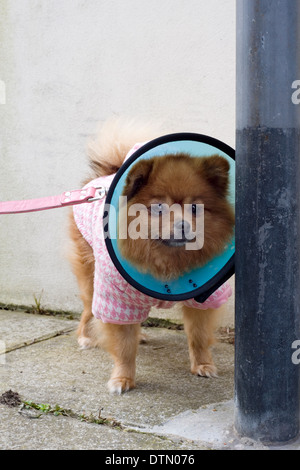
[177, 216]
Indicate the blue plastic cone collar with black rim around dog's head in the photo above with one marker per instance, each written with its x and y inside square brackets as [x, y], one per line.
[201, 282]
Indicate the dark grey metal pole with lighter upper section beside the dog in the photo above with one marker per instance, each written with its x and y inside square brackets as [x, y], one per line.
[267, 220]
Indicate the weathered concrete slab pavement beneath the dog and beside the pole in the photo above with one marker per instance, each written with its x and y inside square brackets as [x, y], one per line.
[169, 410]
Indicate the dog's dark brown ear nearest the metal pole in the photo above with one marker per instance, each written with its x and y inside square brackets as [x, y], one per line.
[216, 171]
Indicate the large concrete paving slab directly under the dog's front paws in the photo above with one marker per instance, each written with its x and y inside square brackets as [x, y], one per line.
[56, 371]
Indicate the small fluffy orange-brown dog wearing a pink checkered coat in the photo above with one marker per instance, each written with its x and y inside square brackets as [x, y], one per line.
[114, 310]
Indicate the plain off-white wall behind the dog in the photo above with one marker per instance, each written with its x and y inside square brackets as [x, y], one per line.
[68, 64]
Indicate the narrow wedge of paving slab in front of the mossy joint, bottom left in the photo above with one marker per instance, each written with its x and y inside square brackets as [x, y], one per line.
[21, 432]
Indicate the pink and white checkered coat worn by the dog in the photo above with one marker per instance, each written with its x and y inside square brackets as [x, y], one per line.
[115, 300]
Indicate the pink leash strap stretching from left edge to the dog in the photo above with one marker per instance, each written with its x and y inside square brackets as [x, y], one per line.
[68, 198]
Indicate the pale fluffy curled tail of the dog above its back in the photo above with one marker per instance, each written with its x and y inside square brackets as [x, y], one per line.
[112, 143]
